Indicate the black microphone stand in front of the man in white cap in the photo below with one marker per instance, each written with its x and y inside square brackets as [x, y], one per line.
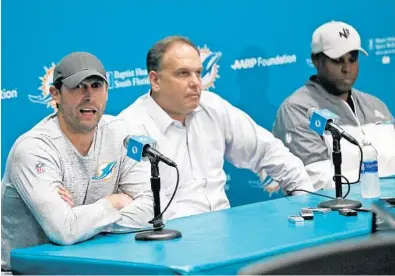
[339, 202]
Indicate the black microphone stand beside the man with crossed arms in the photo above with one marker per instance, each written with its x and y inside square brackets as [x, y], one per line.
[158, 233]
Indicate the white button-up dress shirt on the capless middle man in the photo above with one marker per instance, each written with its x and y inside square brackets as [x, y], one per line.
[214, 131]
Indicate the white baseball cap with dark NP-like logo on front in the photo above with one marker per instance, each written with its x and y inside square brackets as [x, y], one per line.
[336, 39]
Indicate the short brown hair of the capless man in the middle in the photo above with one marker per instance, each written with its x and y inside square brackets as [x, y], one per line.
[156, 53]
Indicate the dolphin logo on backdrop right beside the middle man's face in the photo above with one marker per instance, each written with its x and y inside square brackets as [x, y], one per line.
[210, 67]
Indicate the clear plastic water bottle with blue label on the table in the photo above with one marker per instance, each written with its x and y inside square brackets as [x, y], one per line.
[370, 185]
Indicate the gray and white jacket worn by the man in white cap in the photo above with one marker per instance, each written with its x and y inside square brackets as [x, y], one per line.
[371, 116]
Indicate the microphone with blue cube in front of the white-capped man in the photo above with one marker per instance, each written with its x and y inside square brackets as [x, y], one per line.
[322, 120]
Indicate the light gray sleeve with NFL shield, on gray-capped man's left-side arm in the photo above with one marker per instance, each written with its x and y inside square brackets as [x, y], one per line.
[38, 189]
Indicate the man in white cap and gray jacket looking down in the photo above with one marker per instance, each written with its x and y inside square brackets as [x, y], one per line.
[335, 48]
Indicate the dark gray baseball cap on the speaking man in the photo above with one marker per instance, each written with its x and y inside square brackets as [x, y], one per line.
[76, 67]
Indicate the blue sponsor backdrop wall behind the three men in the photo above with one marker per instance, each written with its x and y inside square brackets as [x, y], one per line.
[255, 53]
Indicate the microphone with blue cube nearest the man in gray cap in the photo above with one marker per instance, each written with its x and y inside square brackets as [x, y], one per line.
[143, 146]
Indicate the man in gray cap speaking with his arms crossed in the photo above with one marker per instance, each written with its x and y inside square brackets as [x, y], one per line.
[68, 179]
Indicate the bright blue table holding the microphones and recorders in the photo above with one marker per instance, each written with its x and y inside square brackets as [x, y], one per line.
[213, 243]
